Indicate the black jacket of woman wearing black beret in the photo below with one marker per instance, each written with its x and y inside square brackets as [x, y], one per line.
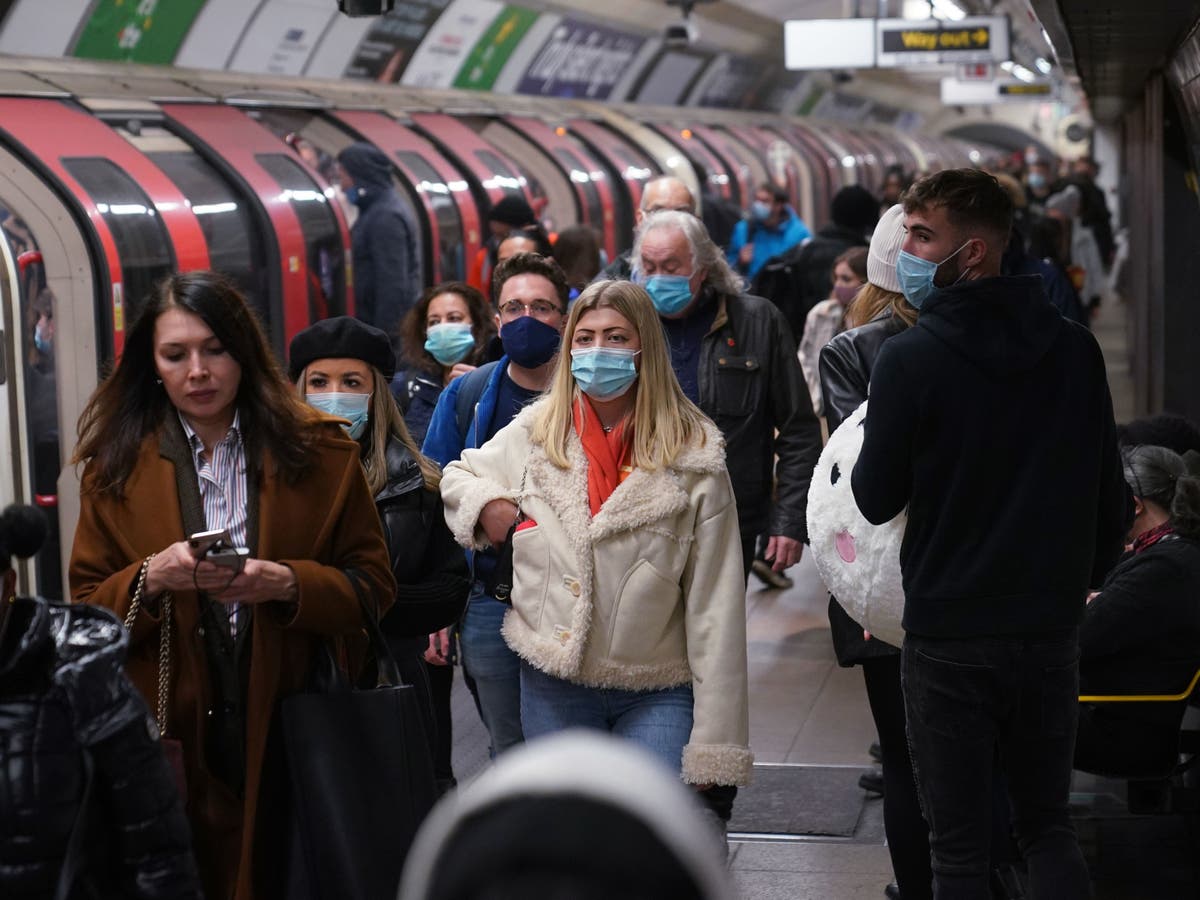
[430, 567]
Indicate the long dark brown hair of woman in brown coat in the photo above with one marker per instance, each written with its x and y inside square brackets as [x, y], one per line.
[131, 405]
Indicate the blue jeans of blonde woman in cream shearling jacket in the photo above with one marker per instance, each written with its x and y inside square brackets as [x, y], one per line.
[659, 721]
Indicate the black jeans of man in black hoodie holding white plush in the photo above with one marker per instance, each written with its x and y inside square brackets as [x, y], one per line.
[1013, 703]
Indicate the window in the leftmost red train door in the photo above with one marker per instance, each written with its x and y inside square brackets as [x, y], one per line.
[141, 238]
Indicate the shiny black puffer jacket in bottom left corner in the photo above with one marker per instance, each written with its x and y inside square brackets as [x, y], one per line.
[68, 710]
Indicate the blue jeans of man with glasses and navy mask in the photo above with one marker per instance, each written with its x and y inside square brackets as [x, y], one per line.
[495, 669]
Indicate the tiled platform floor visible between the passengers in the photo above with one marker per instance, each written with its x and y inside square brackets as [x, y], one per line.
[807, 711]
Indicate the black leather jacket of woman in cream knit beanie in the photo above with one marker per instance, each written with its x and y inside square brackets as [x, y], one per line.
[845, 368]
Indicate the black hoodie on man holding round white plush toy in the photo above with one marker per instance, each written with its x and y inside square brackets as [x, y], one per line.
[992, 421]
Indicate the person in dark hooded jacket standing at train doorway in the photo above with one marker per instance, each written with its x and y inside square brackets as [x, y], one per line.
[385, 239]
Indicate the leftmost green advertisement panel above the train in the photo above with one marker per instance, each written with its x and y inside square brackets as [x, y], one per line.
[143, 32]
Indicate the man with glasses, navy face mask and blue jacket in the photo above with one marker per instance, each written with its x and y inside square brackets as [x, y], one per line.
[531, 299]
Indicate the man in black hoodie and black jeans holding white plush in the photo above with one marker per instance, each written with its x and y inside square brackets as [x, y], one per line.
[992, 422]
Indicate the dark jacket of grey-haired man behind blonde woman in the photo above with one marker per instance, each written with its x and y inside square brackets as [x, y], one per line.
[752, 386]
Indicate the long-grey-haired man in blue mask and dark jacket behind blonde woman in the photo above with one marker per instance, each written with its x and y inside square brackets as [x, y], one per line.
[735, 357]
